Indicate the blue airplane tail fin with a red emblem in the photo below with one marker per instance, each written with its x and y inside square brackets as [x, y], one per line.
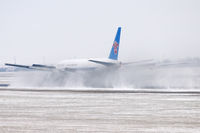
[115, 47]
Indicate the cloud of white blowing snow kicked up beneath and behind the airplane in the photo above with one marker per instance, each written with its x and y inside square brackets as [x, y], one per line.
[132, 77]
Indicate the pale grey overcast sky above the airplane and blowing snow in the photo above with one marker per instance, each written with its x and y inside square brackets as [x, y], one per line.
[48, 31]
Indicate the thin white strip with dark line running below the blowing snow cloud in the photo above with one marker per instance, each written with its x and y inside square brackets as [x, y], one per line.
[101, 90]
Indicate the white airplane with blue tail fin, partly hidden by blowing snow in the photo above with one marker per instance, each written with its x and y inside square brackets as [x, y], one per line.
[74, 65]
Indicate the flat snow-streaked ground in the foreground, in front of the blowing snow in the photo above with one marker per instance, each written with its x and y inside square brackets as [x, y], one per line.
[89, 111]
